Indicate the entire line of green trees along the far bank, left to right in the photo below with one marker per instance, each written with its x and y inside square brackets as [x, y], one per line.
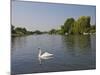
[71, 26]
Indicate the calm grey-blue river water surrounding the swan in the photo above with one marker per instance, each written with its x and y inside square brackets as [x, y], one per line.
[71, 52]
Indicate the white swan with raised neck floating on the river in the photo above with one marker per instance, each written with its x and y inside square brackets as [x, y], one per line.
[44, 55]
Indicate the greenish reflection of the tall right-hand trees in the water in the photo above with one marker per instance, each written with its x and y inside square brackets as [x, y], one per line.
[77, 44]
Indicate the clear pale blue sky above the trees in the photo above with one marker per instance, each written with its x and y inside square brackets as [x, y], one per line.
[46, 16]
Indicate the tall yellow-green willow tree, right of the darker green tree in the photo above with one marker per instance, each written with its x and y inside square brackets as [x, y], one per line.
[82, 25]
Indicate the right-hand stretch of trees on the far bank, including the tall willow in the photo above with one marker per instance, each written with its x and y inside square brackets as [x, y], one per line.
[80, 26]
